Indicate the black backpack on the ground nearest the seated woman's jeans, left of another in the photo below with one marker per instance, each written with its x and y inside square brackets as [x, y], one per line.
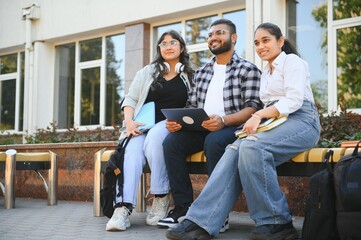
[320, 215]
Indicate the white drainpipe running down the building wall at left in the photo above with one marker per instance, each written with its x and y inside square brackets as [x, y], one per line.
[29, 14]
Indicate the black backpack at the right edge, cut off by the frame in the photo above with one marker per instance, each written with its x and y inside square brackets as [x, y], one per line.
[347, 178]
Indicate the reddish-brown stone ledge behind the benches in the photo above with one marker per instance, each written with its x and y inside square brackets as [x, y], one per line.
[76, 176]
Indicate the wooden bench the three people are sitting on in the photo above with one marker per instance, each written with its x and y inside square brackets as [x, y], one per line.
[304, 164]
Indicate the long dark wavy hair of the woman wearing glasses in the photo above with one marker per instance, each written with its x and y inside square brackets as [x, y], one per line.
[183, 58]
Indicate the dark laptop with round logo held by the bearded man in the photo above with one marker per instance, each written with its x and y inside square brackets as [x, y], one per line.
[190, 118]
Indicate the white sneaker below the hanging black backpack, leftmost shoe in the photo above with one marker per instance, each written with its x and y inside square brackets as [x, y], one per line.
[119, 220]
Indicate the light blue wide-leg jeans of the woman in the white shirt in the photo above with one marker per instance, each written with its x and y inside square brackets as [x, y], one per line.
[252, 161]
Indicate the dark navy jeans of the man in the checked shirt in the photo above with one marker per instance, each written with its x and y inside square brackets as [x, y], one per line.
[177, 146]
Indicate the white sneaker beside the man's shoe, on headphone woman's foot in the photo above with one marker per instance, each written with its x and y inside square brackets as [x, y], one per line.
[159, 210]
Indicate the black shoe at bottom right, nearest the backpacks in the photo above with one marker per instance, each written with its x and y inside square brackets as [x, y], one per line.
[275, 232]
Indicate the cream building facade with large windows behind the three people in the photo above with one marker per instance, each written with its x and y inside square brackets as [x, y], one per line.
[70, 63]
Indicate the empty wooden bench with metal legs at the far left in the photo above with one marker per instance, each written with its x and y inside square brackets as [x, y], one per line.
[12, 161]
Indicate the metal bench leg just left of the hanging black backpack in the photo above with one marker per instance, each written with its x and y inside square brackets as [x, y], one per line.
[98, 183]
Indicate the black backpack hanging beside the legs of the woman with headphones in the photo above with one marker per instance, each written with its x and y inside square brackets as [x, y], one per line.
[113, 172]
